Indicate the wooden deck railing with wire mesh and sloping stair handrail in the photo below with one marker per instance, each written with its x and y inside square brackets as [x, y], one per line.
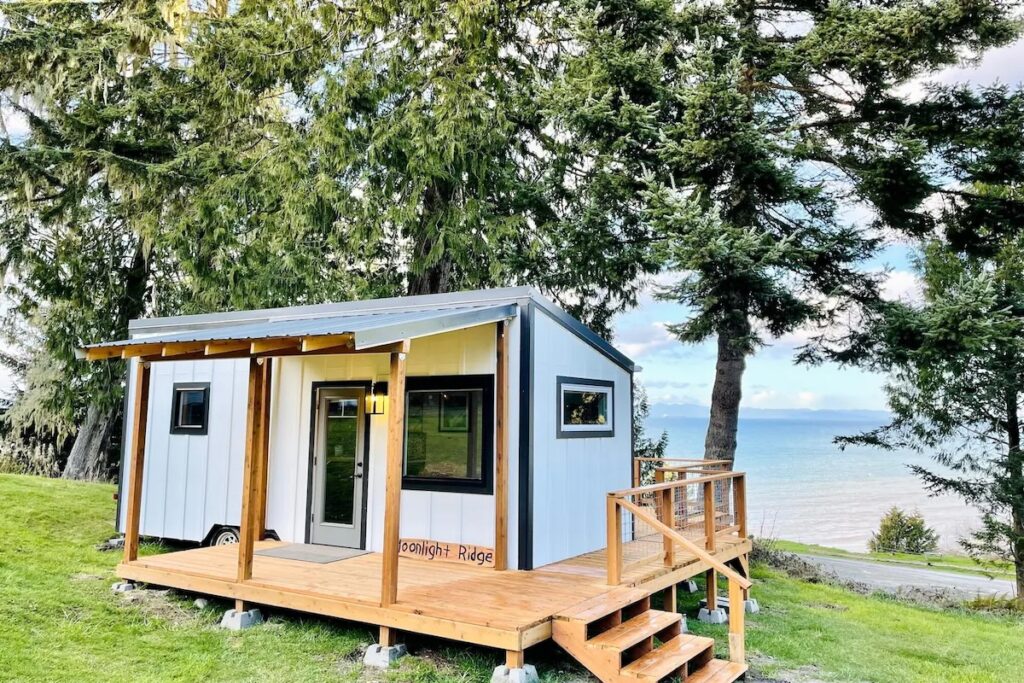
[692, 516]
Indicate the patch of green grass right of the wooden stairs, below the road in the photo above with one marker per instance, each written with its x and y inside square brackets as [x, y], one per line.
[821, 632]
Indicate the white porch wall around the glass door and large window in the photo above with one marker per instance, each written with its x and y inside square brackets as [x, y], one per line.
[441, 517]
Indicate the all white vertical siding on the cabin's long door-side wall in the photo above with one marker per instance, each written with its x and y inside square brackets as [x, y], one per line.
[193, 484]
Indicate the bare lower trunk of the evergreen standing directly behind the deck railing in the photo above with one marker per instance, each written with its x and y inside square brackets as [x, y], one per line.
[720, 443]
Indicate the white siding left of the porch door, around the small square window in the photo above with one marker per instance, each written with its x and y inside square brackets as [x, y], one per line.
[191, 484]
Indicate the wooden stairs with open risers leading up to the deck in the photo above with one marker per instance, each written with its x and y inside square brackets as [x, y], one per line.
[619, 637]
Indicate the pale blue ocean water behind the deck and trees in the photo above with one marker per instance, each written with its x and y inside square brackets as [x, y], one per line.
[801, 487]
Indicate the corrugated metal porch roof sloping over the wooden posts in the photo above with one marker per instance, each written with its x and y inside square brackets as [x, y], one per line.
[367, 330]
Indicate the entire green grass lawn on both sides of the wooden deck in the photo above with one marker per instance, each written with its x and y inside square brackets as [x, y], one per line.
[60, 621]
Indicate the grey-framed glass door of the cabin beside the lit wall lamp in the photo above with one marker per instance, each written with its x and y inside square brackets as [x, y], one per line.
[339, 468]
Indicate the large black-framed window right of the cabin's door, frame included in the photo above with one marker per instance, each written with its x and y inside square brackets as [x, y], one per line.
[449, 434]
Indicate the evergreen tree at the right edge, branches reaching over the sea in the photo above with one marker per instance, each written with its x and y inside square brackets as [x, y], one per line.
[957, 360]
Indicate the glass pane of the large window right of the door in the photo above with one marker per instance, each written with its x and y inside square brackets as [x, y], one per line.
[445, 436]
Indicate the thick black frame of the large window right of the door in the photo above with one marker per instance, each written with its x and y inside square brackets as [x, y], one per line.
[483, 383]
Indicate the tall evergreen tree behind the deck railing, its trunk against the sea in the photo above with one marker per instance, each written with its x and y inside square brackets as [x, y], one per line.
[754, 126]
